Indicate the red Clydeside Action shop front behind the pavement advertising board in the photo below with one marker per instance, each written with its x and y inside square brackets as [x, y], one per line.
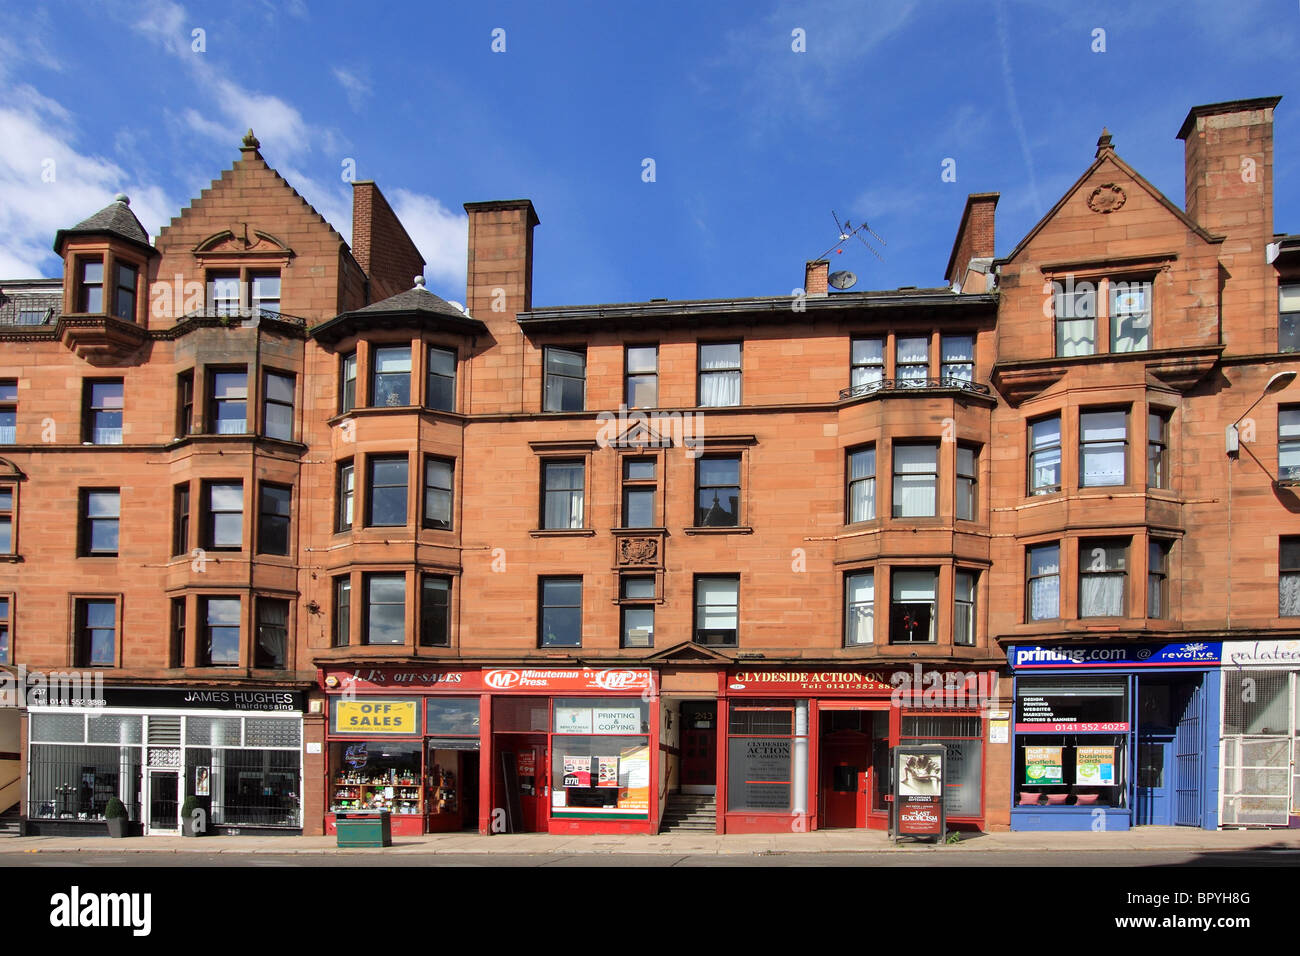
[809, 750]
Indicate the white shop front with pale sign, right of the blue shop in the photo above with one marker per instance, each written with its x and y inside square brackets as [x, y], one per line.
[1262, 734]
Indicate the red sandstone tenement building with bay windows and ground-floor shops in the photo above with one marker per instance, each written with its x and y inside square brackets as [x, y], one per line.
[313, 540]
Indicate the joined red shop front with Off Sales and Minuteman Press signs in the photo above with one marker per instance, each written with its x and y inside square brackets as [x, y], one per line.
[500, 750]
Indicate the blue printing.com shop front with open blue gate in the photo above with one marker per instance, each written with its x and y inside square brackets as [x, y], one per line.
[1116, 736]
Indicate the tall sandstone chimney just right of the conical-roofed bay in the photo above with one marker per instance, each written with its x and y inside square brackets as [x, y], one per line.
[500, 287]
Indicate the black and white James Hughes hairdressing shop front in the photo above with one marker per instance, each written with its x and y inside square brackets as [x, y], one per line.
[237, 754]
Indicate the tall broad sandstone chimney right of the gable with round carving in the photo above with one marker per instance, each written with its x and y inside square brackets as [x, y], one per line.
[1229, 168]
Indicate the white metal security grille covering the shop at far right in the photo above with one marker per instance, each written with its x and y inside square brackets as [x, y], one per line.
[1258, 741]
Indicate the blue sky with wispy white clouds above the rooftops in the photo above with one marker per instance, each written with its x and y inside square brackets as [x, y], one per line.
[753, 144]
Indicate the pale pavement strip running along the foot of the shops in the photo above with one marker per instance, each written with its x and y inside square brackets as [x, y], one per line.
[692, 843]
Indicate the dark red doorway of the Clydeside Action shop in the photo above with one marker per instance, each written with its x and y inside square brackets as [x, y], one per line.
[853, 780]
